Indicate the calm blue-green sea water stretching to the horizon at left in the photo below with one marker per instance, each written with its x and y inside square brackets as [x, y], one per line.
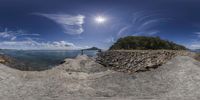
[44, 59]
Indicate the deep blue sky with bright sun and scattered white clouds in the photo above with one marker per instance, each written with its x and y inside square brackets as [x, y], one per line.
[77, 24]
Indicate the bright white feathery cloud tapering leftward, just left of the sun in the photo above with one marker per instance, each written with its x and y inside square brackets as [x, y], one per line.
[71, 24]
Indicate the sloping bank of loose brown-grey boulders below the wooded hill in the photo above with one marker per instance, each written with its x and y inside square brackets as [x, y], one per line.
[137, 60]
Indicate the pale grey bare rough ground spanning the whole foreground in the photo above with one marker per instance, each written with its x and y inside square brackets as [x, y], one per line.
[84, 79]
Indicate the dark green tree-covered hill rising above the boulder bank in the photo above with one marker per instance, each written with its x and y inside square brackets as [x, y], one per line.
[145, 43]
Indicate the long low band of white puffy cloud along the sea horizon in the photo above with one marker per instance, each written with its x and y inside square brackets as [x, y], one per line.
[34, 45]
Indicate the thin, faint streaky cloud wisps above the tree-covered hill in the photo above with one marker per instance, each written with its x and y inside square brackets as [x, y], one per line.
[143, 23]
